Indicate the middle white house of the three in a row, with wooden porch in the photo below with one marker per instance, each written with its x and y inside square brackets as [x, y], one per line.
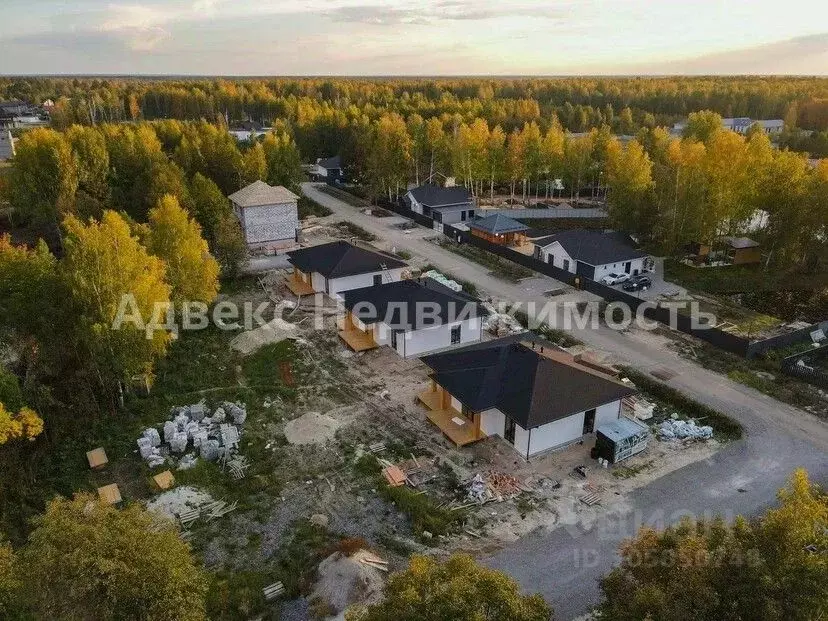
[413, 317]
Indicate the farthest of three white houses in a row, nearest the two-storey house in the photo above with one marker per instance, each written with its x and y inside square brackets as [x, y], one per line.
[339, 266]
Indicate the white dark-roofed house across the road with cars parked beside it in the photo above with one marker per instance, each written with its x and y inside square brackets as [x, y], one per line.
[592, 254]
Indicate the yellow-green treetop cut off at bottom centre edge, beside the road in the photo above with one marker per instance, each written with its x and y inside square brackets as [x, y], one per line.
[457, 589]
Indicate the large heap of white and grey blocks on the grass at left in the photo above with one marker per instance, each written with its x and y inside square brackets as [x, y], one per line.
[210, 436]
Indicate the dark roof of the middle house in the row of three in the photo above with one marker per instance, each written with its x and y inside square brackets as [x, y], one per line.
[400, 304]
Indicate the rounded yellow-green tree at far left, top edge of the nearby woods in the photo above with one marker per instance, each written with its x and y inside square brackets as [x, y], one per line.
[44, 178]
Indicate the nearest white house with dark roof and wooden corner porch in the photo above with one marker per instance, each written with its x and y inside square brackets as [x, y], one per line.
[525, 390]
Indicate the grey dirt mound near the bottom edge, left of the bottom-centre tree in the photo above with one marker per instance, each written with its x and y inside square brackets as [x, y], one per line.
[345, 580]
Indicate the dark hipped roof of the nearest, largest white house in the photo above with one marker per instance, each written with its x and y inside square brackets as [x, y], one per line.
[529, 386]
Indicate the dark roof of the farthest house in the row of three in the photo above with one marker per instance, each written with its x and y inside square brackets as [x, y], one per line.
[339, 258]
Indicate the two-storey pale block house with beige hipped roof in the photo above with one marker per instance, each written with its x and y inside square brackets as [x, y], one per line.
[268, 215]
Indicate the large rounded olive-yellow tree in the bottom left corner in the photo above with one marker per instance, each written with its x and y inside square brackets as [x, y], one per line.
[87, 560]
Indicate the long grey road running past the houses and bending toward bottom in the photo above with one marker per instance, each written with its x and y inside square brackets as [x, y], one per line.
[565, 563]
